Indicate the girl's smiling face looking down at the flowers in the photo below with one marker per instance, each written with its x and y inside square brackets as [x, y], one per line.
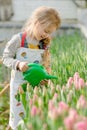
[41, 33]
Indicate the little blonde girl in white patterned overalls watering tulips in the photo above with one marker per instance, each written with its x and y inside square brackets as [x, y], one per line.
[28, 47]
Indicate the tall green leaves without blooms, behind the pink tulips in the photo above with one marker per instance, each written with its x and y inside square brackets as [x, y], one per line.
[69, 55]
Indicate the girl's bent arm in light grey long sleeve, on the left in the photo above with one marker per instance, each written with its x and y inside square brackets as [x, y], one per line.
[10, 52]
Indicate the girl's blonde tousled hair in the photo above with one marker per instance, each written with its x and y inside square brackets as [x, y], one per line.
[45, 16]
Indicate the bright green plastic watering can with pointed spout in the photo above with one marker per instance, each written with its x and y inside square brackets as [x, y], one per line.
[36, 73]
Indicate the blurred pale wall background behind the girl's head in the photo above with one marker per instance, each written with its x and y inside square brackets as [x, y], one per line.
[13, 13]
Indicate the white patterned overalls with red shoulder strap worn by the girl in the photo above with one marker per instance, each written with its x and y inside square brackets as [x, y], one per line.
[23, 54]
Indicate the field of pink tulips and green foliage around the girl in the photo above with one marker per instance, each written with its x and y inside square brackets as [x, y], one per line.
[62, 104]
